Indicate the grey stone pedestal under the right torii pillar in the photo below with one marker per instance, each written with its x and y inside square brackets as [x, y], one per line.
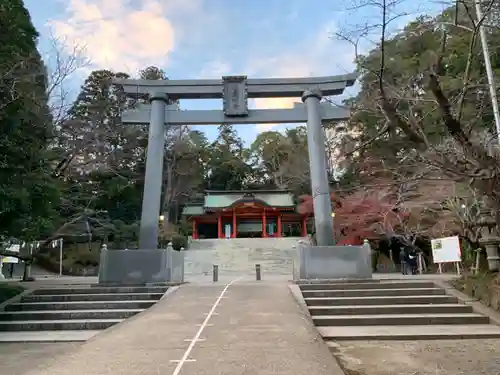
[335, 262]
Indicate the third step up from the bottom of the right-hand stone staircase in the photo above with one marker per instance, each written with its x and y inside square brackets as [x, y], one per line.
[391, 309]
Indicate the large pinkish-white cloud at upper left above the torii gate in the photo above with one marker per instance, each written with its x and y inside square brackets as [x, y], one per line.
[120, 35]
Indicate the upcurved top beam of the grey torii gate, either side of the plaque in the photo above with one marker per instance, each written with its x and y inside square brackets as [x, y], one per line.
[256, 88]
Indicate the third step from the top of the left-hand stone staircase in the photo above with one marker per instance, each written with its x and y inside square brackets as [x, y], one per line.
[80, 305]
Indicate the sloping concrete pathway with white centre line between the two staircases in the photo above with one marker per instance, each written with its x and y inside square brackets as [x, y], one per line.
[239, 328]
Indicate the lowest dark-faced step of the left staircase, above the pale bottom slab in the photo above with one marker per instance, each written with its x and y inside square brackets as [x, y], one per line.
[58, 325]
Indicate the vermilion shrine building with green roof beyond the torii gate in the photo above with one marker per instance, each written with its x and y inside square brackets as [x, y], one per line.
[237, 214]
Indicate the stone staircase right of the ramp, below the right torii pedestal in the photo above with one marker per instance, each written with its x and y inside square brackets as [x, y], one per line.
[391, 310]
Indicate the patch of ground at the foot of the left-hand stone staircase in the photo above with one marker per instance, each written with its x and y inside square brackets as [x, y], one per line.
[18, 359]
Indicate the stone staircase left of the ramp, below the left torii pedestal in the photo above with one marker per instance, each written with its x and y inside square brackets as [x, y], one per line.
[89, 308]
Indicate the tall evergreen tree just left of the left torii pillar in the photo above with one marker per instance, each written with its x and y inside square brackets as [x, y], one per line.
[106, 157]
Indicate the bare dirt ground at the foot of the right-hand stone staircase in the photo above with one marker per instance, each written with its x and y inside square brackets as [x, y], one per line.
[441, 357]
